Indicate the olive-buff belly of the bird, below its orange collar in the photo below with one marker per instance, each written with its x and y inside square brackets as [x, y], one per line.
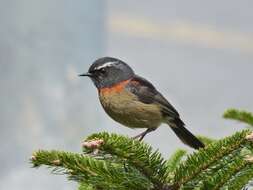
[125, 108]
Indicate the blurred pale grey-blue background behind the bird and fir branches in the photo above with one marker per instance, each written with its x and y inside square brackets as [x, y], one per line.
[198, 53]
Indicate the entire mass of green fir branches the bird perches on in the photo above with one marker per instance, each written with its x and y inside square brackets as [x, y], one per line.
[115, 162]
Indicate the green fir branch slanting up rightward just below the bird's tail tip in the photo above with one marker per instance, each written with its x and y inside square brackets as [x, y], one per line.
[206, 158]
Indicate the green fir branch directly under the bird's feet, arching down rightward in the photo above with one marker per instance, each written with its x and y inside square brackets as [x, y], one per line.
[136, 153]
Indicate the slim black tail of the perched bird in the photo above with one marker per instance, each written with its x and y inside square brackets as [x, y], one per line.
[177, 125]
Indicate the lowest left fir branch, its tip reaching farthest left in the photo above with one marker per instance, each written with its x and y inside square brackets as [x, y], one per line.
[101, 174]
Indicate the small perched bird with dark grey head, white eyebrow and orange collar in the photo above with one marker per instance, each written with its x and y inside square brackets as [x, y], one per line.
[133, 101]
